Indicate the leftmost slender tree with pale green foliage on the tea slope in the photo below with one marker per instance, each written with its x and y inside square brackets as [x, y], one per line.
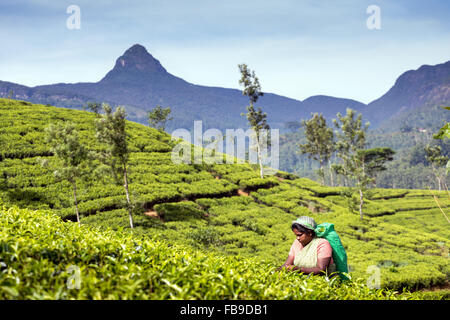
[65, 145]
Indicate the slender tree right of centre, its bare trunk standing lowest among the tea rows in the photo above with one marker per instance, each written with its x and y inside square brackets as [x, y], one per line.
[352, 139]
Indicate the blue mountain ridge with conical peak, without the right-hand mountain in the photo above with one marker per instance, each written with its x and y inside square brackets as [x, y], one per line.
[139, 82]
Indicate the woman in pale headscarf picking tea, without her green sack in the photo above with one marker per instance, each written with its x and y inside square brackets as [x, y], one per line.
[309, 254]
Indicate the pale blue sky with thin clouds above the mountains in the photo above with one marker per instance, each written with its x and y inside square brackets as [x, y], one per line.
[297, 48]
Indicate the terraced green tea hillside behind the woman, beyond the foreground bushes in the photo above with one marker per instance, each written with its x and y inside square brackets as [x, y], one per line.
[226, 210]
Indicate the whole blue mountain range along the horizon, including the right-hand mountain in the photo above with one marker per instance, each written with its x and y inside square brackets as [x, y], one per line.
[139, 82]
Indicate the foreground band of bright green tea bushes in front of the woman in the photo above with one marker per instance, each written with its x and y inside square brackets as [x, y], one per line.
[116, 265]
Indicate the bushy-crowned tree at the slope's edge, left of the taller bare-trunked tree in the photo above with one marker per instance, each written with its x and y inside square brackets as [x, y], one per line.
[320, 142]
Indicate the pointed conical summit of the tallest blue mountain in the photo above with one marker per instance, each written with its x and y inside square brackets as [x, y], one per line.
[136, 63]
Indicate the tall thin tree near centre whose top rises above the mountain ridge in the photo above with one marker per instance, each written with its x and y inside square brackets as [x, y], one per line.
[256, 118]
